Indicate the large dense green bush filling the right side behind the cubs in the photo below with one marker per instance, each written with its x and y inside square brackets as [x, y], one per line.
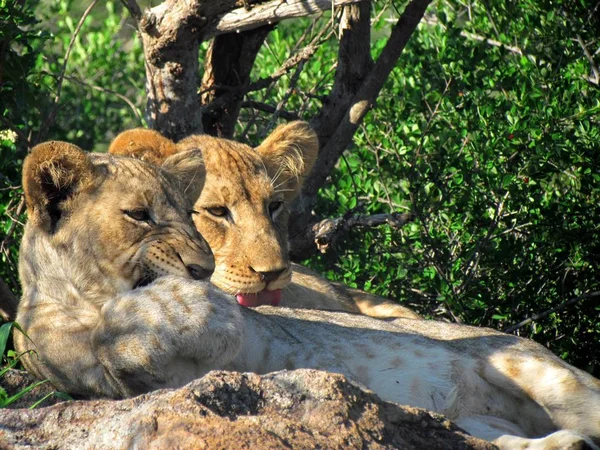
[497, 153]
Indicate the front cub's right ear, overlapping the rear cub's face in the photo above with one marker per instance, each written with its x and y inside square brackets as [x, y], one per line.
[186, 168]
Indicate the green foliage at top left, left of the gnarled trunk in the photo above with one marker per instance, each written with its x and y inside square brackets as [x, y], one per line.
[101, 94]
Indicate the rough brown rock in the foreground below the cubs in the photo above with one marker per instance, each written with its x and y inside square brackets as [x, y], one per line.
[302, 409]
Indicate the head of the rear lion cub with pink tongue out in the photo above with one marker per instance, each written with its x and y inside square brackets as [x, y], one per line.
[242, 210]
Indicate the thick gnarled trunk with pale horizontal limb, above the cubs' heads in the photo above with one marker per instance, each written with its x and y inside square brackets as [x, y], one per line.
[172, 32]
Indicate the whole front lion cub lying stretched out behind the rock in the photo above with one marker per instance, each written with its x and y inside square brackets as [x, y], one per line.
[109, 266]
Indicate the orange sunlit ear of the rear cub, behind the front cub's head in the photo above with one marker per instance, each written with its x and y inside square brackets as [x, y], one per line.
[147, 145]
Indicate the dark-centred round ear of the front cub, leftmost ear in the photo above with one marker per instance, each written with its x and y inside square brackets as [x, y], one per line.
[52, 173]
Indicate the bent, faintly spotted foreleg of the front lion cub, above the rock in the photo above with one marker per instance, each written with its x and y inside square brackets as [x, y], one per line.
[166, 334]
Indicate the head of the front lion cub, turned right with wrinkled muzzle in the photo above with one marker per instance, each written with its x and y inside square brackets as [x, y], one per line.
[106, 223]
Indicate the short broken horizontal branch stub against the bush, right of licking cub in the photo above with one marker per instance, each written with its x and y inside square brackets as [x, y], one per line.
[322, 235]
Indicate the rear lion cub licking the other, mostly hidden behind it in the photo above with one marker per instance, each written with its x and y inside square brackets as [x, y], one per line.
[242, 213]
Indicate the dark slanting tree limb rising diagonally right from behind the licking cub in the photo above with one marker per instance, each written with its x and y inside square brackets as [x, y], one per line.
[361, 103]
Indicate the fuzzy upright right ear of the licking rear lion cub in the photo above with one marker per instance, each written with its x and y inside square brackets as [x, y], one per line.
[289, 154]
